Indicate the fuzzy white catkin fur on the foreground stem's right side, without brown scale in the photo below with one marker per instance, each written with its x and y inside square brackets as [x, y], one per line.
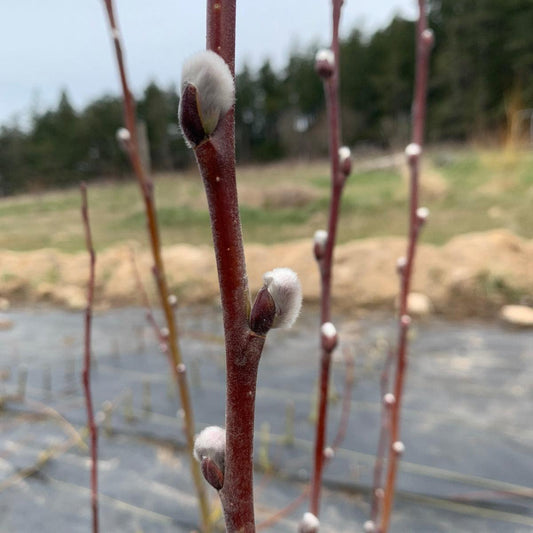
[284, 287]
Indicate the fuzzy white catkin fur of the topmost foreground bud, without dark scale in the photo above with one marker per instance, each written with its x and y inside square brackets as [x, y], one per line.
[212, 78]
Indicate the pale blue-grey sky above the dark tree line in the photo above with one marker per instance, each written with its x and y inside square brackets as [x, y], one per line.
[50, 45]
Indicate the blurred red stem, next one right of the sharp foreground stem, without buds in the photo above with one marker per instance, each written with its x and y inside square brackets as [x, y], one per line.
[331, 89]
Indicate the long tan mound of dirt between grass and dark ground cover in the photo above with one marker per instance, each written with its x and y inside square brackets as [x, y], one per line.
[472, 275]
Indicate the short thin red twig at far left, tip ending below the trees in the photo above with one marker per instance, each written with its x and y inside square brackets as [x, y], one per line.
[86, 373]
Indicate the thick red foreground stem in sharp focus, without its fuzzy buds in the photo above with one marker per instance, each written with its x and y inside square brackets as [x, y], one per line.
[216, 160]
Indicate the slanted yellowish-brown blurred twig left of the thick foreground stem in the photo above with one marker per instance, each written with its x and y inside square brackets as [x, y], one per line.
[172, 347]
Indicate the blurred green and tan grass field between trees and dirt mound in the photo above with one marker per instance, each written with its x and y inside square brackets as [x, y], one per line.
[466, 190]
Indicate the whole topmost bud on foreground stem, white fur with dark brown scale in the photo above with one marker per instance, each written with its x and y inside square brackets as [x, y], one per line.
[207, 94]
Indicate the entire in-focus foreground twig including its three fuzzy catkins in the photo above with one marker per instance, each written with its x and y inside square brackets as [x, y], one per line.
[207, 121]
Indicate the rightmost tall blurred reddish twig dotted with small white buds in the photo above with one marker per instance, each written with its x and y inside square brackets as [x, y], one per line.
[424, 40]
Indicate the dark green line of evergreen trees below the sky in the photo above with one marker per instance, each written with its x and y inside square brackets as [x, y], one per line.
[481, 76]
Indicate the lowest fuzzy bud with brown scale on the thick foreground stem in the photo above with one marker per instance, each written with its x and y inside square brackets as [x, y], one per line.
[210, 451]
